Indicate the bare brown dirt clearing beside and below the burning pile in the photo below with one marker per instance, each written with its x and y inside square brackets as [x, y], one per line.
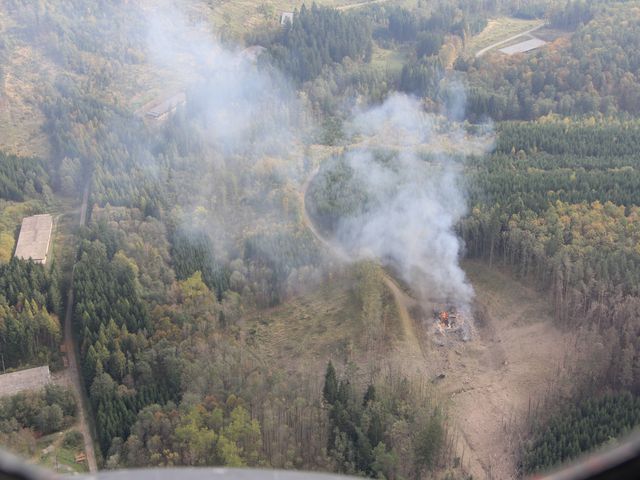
[515, 358]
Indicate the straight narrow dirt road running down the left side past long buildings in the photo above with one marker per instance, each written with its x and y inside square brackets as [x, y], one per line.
[73, 371]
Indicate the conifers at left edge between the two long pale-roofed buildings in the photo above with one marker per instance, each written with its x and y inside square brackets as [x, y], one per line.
[29, 302]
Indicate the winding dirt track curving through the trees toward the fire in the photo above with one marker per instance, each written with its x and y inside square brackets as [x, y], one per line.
[400, 298]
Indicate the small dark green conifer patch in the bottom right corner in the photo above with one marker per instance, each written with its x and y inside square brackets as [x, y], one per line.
[578, 429]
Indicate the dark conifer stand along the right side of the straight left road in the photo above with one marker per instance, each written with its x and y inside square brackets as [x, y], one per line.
[111, 320]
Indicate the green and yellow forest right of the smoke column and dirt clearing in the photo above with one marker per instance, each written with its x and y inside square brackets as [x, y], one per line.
[557, 202]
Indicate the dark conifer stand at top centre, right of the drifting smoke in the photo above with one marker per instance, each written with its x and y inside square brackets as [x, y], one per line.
[317, 37]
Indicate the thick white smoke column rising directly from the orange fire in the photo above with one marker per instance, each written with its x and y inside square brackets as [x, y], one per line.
[417, 203]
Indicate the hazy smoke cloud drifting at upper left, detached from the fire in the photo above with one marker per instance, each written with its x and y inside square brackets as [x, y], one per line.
[248, 110]
